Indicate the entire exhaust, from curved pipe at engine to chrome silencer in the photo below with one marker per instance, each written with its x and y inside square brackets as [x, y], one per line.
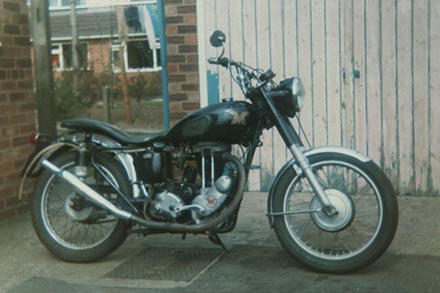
[102, 202]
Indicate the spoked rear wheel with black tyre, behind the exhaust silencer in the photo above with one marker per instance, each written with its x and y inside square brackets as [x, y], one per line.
[71, 227]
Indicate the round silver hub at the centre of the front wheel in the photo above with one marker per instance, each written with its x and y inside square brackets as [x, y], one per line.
[344, 207]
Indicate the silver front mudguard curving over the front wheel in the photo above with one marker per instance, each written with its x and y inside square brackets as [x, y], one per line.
[292, 164]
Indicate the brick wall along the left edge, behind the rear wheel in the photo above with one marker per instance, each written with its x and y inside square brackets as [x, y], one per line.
[17, 114]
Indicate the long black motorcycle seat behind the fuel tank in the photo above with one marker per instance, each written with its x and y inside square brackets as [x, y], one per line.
[111, 131]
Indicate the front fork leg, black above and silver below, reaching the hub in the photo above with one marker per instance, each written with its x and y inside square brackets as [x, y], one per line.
[295, 146]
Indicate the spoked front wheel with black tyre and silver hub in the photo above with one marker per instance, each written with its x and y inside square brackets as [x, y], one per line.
[357, 235]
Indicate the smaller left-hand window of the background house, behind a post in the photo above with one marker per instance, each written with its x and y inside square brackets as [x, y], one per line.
[62, 56]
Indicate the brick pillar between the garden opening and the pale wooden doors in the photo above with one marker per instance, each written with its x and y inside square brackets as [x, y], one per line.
[183, 74]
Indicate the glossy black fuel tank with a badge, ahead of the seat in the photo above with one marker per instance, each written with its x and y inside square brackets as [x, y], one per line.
[230, 122]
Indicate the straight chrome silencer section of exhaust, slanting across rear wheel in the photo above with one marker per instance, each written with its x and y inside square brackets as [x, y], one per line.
[88, 192]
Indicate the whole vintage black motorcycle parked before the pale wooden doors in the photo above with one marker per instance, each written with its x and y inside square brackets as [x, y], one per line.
[332, 208]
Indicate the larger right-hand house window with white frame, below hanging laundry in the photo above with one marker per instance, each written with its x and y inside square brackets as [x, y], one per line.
[138, 56]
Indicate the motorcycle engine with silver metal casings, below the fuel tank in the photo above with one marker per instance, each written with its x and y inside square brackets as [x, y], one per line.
[198, 184]
